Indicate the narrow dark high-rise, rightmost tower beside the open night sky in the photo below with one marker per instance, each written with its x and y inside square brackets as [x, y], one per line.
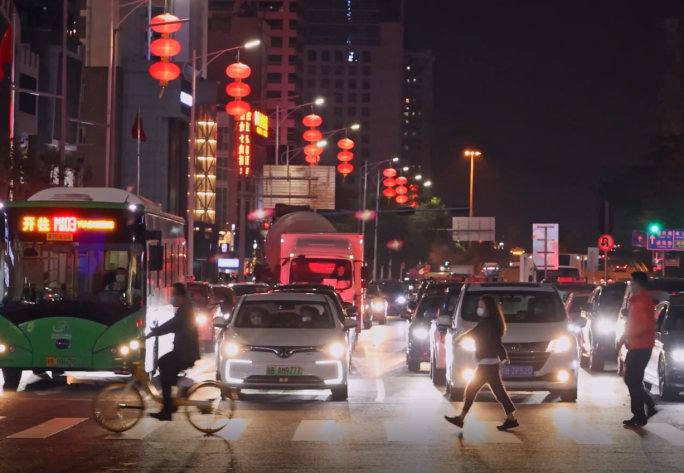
[417, 109]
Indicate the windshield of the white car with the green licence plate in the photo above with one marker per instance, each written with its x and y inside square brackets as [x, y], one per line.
[284, 314]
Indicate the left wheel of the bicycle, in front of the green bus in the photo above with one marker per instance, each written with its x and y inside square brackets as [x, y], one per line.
[118, 407]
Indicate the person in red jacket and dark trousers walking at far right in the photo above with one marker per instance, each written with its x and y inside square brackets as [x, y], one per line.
[639, 338]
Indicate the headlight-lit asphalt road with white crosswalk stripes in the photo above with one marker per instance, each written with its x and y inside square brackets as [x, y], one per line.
[391, 423]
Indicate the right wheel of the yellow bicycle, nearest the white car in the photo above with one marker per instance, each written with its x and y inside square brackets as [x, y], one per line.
[212, 412]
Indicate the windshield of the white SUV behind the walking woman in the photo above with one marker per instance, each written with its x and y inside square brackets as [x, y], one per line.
[518, 306]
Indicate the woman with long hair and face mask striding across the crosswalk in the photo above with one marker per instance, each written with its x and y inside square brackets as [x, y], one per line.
[489, 354]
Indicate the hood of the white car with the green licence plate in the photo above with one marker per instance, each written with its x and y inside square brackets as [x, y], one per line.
[286, 337]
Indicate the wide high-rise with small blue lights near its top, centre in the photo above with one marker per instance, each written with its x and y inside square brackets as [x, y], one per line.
[352, 55]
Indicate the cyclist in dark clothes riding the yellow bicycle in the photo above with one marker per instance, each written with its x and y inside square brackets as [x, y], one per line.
[185, 348]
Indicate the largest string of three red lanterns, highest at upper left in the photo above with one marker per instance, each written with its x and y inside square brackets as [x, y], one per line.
[165, 47]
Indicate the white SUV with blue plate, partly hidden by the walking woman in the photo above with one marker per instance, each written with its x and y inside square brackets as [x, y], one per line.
[541, 347]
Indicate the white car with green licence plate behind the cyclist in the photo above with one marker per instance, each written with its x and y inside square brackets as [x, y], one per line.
[284, 341]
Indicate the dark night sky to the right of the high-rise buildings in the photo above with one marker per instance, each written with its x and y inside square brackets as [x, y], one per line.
[556, 104]
